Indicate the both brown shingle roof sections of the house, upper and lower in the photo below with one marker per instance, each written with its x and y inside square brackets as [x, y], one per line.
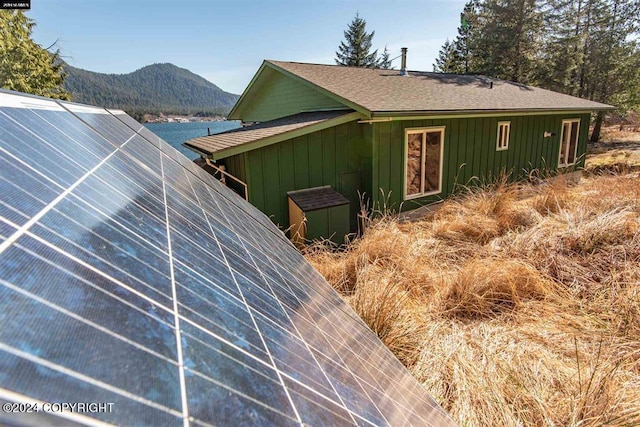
[387, 92]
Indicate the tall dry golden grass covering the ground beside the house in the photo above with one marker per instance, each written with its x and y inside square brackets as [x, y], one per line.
[513, 304]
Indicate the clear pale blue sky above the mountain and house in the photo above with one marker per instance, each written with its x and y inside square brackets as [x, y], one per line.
[226, 41]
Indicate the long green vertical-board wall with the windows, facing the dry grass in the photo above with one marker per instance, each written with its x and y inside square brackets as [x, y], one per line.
[470, 156]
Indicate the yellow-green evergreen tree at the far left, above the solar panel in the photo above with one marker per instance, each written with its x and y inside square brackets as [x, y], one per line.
[24, 65]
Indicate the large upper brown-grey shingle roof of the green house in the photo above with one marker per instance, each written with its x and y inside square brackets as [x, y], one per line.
[378, 90]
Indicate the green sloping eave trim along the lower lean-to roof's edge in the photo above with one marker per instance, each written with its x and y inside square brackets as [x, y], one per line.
[274, 139]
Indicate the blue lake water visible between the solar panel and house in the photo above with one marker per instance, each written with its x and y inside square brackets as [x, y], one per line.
[177, 133]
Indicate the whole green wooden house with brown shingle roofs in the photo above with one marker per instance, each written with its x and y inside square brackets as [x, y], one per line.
[394, 138]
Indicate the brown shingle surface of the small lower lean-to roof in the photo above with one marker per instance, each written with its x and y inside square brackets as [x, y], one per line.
[261, 131]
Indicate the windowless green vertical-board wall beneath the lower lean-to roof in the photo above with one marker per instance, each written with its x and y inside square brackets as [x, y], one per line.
[338, 156]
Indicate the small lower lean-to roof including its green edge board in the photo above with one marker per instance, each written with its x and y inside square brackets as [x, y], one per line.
[266, 133]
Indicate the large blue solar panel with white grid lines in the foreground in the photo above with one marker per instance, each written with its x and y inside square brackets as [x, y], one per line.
[133, 280]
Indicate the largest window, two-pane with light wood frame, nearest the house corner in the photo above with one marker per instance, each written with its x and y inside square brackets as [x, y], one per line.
[423, 167]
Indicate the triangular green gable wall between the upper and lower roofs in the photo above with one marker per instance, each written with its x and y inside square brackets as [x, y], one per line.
[281, 96]
